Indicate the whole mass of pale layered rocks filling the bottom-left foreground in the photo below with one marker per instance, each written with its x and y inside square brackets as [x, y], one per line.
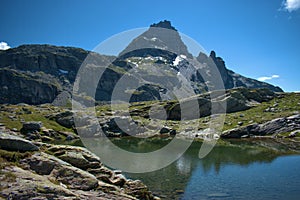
[37, 170]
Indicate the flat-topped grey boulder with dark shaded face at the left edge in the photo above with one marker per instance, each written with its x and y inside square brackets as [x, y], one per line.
[14, 143]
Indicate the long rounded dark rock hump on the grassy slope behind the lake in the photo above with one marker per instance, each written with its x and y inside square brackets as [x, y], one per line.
[235, 100]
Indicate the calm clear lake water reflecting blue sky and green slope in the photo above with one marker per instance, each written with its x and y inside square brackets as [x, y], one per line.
[239, 170]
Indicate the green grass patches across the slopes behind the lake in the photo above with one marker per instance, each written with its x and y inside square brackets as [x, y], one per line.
[12, 116]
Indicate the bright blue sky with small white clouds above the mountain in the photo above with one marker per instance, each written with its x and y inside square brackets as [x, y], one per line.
[256, 38]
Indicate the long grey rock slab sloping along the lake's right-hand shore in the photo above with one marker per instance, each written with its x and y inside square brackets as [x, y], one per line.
[273, 127]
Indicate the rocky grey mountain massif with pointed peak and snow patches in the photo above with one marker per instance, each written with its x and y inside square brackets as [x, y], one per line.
[157, 61]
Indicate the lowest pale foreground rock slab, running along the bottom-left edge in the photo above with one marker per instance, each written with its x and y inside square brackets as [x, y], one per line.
[26, 184]
